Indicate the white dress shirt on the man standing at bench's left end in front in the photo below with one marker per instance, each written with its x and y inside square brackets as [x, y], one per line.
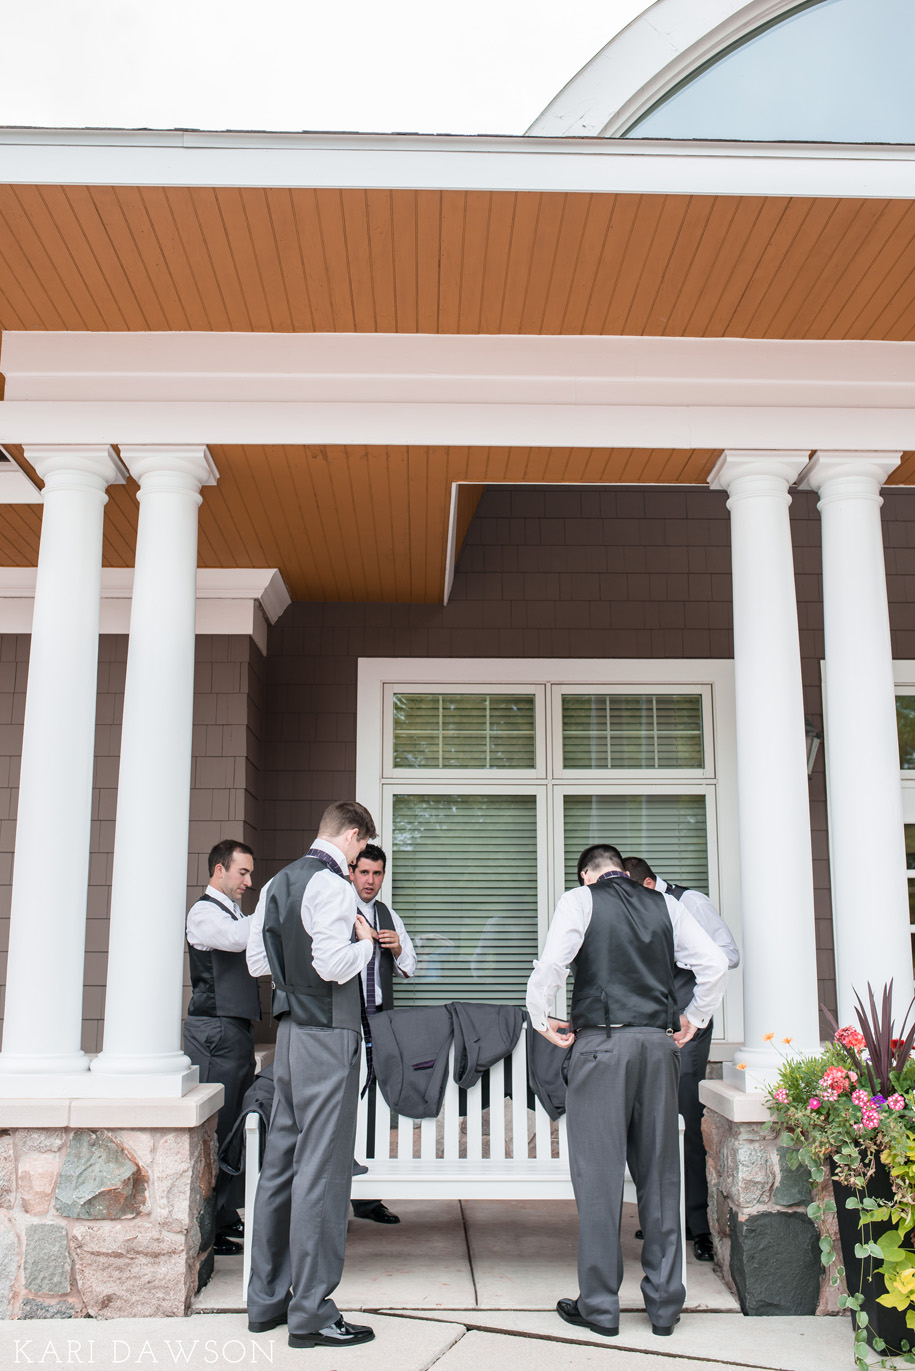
[329, 915]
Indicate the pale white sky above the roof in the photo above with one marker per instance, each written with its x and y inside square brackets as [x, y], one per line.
[408, 66]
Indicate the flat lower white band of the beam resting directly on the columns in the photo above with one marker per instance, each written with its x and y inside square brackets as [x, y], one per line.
[473, 426]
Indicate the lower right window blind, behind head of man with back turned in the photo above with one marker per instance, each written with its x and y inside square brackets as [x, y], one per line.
[669, 832]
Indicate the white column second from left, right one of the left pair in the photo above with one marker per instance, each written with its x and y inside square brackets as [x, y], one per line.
[149, 885]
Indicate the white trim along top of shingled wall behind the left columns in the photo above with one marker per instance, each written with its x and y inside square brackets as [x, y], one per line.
[230, 601]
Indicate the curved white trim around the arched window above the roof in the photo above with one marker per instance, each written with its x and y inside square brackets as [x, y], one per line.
[647, 60]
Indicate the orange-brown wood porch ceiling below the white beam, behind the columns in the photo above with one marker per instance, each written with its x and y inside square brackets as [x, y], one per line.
[352, 524]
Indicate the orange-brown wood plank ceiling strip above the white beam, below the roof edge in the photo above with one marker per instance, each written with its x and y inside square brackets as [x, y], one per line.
[456, 263]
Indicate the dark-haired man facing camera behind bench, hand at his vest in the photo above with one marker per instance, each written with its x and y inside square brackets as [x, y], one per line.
[393, 956]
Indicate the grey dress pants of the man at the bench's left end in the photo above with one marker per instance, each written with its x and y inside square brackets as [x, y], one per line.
[304, 1195]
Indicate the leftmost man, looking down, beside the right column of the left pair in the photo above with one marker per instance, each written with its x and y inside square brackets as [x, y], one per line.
[219, 1034]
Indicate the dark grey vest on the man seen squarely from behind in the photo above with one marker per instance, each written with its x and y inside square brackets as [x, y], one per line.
[625, 967]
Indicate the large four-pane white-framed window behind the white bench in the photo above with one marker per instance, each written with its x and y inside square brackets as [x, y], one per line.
[490, 779]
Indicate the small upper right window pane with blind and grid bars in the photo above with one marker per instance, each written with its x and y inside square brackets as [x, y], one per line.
[632, 733]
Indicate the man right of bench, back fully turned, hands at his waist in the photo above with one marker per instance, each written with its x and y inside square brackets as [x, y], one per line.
[626, 1033]
